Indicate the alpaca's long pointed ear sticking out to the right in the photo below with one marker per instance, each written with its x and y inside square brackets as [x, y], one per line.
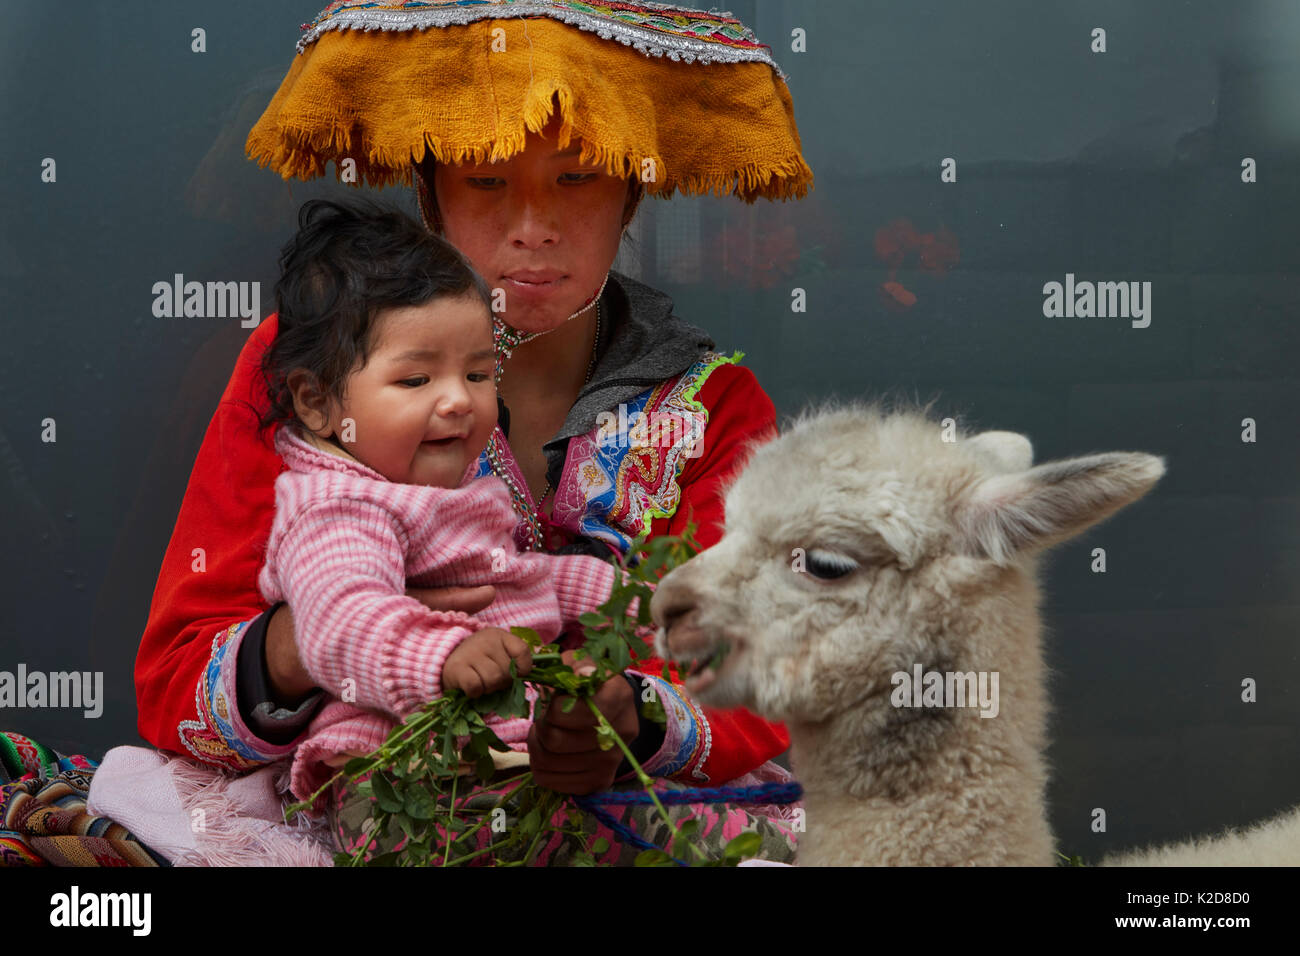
[1011, 514]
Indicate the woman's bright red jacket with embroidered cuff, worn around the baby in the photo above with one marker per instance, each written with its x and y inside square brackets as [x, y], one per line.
[207, 589]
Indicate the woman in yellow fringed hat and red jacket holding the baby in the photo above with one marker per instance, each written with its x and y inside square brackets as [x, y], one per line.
[218, 674]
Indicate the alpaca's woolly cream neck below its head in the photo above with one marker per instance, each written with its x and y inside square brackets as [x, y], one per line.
[974, 795]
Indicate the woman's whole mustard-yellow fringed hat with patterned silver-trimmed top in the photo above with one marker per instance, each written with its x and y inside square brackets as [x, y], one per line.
[686, 101]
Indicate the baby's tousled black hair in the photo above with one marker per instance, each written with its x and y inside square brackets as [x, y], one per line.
[349, 262]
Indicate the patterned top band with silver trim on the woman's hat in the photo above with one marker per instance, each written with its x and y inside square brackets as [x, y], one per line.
[679, 33]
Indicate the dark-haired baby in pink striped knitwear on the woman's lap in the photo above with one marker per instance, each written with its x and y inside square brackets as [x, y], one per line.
[383, 393]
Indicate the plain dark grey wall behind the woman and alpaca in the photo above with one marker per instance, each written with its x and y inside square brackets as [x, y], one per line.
[1124, 166]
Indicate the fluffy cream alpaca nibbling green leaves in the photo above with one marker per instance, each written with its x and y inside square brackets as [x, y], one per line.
[870, 573]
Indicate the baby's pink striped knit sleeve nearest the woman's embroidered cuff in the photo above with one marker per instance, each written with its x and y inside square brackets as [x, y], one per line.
[343, 572]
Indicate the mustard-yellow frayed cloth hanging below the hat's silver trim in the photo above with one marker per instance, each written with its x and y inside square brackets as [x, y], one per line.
[695, 145]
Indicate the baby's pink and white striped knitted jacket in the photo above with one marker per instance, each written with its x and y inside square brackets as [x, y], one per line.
[343, 548]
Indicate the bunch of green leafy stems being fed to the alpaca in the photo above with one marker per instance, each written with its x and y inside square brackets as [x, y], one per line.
[423, 777]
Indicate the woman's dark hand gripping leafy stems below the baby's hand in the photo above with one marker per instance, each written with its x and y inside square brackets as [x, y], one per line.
[564, 750]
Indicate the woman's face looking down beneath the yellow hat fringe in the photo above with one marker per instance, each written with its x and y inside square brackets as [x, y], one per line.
[541, 226]
